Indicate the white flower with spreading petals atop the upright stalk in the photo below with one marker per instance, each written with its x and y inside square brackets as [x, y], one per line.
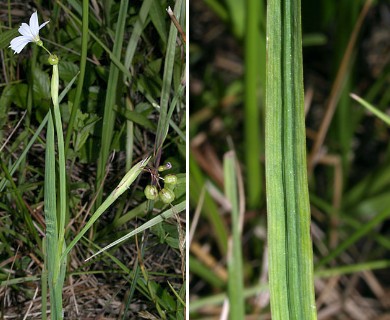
[29, 33]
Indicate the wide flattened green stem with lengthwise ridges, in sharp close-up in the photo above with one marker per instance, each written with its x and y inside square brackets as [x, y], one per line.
[290, 251]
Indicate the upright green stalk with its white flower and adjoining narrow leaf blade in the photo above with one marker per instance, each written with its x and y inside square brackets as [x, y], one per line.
[55, 226]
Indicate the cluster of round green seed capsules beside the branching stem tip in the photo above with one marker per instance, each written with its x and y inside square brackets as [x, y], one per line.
[166, 194]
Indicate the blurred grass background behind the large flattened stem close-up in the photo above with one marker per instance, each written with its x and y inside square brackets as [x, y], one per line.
[346, 49]
